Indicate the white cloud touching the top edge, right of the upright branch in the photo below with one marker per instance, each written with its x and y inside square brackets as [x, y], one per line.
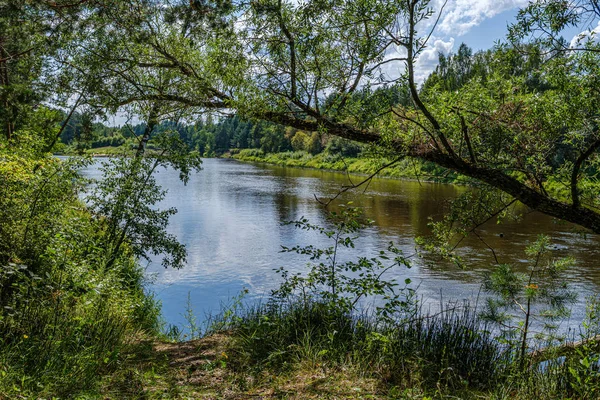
[459, 16]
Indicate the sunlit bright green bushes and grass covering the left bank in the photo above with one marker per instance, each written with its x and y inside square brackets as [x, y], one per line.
[68, 314]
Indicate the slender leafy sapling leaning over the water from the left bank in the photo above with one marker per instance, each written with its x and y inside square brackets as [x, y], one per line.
[125, 201]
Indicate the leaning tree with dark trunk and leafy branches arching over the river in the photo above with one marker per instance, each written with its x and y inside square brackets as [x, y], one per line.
[300, 65]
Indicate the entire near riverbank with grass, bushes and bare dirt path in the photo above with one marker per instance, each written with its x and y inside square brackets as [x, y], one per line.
[76, 322]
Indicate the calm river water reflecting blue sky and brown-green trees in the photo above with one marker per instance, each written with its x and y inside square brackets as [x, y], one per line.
[230, 218]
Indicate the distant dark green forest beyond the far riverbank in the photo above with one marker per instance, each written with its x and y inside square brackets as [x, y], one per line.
[214, 136]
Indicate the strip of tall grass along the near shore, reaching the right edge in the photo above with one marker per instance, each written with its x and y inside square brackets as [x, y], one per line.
[449, 353]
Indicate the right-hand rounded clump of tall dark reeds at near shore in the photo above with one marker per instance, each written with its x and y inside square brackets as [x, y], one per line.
[453, 348]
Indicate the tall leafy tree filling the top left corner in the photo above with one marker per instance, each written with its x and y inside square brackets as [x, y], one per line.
[33, 36]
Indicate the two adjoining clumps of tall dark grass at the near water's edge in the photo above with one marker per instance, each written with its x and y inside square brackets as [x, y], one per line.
[452, 349]
